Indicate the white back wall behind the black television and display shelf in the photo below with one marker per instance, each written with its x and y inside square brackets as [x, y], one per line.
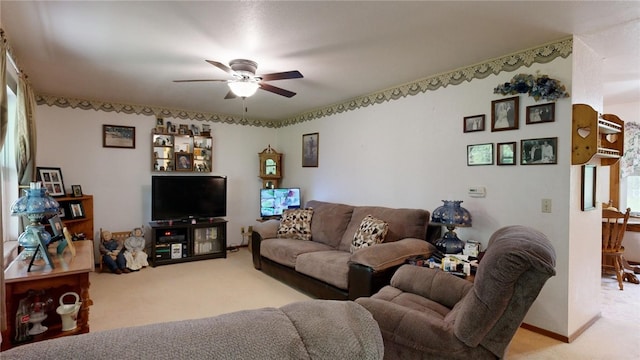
[120, 179]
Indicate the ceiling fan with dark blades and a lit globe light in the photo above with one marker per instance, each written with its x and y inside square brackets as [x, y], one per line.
[246, 83]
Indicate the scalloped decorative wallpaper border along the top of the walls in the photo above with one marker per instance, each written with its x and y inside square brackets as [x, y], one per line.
[541, 54]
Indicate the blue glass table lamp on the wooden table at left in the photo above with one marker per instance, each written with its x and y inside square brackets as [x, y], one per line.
[35, 204]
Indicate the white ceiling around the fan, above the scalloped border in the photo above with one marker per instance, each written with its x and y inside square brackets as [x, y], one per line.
[129, 52]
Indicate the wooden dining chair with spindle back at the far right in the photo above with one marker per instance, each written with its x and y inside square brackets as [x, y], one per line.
[614, 226]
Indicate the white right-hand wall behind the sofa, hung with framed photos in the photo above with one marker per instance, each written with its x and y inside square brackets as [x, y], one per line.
[412, 153]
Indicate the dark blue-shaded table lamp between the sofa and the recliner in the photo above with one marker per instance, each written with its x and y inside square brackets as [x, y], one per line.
[451, 215]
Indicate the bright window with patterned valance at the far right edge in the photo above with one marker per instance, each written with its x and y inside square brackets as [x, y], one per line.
[630, 169]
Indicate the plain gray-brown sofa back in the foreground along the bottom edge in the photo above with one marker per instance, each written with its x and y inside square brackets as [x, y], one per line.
[316, 329]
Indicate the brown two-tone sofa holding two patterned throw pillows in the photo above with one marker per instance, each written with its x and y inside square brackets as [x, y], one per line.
[325, 267]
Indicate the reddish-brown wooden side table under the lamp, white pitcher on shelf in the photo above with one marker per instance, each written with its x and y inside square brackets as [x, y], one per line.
[69, 274]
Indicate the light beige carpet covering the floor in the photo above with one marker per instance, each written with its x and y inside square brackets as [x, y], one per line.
[212, 287]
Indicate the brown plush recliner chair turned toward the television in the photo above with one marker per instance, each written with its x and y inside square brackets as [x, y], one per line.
[429, 314]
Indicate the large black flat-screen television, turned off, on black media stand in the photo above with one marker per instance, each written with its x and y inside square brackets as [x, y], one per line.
[183, 197]
